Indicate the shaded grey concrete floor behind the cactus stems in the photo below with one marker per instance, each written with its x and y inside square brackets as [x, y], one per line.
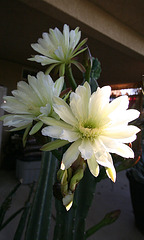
[108, 197]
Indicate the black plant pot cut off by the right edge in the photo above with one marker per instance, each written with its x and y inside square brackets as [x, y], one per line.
[137, 198]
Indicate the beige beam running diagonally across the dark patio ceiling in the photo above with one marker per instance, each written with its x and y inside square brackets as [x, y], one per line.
[96, 22]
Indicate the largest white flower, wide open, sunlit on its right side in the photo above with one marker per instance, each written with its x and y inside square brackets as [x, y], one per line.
[95, 128]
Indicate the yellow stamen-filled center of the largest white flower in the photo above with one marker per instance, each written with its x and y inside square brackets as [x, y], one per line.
[89, 131]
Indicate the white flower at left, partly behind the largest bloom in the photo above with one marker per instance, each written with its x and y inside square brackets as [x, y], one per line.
[31, 100]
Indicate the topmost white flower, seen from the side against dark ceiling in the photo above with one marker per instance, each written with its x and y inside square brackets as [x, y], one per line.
[58, 48]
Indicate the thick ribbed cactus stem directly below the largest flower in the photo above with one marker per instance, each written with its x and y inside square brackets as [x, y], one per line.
[71, 224]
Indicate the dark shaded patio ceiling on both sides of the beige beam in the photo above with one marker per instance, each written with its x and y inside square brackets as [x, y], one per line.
[22, 24]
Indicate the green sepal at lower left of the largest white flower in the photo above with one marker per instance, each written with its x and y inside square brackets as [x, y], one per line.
[54, 145]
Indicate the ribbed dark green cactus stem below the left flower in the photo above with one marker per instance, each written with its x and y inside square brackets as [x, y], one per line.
[39, 221]
